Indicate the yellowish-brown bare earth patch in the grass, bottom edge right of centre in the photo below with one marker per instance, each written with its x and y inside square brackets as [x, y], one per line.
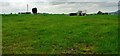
[79, 48]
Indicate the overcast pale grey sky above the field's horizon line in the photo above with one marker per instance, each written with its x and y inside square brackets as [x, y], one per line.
[58, 6]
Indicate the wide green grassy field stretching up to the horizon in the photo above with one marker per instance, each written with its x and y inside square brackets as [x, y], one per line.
[56, 34]
